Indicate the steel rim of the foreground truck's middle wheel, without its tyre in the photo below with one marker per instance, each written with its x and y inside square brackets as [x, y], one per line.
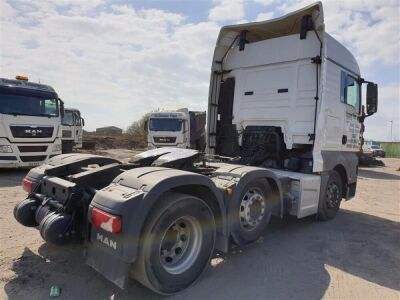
[252, 209]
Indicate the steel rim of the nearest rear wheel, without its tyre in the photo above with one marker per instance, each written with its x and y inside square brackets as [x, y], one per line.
[180, 245]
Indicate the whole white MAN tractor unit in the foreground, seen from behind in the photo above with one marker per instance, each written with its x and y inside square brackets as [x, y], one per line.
[283, 133]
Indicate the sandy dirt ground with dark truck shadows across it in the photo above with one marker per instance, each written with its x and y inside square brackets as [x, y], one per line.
[355, 256]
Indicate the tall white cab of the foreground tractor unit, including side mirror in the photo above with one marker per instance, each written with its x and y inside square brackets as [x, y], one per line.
[285, 94]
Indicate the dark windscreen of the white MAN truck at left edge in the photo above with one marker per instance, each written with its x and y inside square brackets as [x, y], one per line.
[28, 105]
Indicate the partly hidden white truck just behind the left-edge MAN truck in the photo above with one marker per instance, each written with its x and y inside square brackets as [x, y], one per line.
[72, 130]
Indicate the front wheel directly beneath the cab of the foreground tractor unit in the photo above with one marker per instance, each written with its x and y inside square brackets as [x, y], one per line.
[332, 197]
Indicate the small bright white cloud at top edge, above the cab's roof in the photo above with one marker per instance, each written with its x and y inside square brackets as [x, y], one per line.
[227, 10]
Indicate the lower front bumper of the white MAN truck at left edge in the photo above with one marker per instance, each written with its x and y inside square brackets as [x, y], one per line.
[25, 155]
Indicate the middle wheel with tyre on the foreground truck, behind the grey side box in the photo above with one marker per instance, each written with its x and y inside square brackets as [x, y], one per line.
[251, 212]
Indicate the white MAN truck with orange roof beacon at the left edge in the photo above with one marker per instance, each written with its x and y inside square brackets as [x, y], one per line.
[30, 118]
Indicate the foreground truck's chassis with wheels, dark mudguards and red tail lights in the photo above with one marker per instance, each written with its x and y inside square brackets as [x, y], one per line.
[159, 218]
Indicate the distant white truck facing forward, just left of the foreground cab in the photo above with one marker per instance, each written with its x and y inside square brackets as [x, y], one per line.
[179, 128]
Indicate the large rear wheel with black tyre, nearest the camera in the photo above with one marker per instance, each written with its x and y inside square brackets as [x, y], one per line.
[176, 244]
